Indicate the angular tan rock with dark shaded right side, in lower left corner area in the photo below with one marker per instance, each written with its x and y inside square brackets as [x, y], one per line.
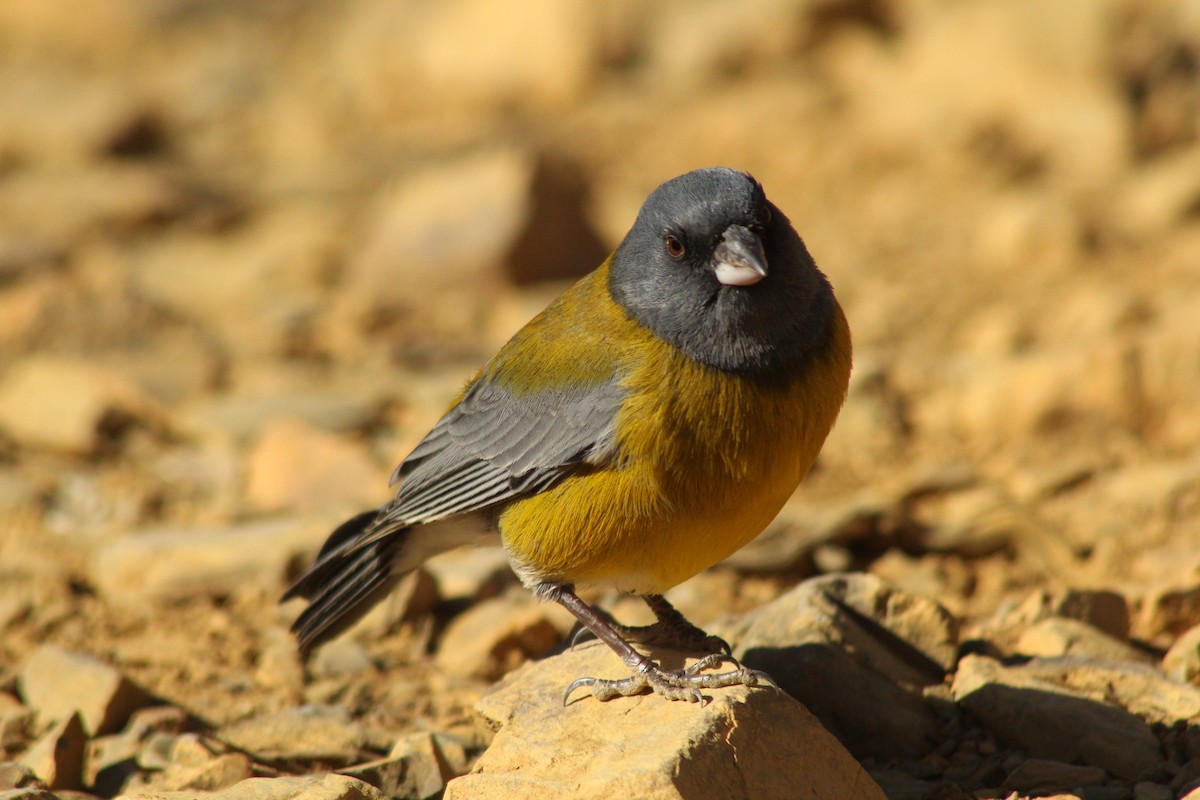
[57, 683]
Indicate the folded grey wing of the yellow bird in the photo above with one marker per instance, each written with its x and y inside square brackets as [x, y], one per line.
[495, 447]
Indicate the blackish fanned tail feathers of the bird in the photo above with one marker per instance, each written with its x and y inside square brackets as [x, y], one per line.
[345, 582]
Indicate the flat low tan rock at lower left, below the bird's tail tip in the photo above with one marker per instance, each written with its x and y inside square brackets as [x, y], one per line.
[307, 733]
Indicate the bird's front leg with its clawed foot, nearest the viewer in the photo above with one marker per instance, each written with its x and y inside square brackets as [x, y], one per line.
[673, 684]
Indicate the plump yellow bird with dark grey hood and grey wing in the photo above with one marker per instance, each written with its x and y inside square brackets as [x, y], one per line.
[645, 426]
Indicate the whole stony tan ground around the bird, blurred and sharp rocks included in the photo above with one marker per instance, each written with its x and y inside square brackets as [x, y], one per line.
[250, 251]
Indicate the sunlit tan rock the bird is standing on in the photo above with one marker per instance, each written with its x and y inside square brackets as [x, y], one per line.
[745, 743]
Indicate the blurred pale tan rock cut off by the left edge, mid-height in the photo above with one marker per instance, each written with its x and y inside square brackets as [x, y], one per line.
[71, 406]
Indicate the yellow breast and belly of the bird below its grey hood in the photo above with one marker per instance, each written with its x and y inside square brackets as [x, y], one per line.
[706, 462]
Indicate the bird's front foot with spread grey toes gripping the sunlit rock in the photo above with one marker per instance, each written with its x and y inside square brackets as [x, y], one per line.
[674, 684]
